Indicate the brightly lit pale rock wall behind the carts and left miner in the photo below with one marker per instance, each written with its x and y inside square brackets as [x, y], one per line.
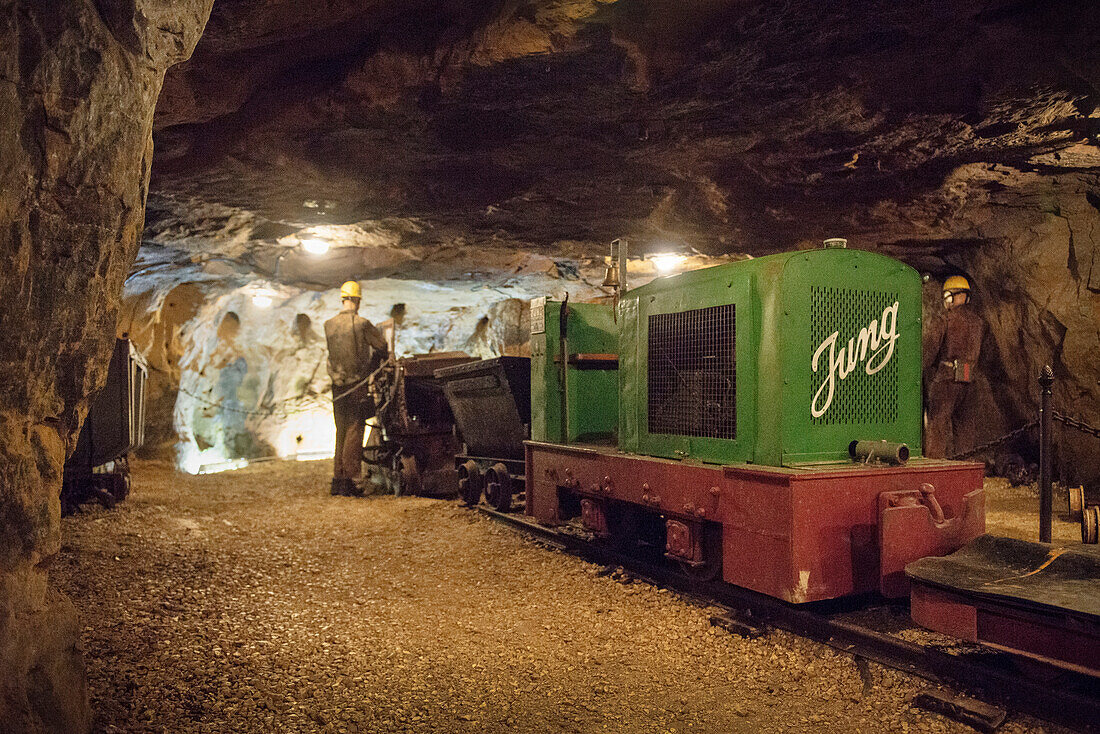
[234, 381]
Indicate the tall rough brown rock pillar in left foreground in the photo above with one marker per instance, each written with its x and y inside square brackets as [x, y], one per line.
[79, 84]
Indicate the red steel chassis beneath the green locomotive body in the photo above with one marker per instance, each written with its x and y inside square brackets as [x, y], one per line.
[800, 534]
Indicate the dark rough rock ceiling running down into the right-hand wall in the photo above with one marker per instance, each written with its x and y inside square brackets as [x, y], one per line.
[958, 137]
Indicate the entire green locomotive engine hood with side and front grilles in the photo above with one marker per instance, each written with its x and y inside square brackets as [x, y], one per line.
[827, 346]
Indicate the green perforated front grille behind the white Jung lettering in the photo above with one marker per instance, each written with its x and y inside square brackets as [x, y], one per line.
[861, 399]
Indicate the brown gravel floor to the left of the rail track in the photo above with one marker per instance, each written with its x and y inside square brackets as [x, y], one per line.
[251, 601]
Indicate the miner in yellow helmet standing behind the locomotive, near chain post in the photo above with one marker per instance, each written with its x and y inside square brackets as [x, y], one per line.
[954, 366]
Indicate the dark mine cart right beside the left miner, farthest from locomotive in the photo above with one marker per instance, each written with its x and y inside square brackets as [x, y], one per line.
[412, 444]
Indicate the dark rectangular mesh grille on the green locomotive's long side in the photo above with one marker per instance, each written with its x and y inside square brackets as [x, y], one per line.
[692, 374]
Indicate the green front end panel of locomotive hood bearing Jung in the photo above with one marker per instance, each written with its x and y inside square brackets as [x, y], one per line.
[850, 354]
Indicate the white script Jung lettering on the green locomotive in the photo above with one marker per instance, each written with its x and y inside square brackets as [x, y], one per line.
[873, 347]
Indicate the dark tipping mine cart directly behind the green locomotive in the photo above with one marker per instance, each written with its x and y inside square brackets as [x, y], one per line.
[492, 406]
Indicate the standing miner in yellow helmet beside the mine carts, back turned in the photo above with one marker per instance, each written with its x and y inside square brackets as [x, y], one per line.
[356, 350]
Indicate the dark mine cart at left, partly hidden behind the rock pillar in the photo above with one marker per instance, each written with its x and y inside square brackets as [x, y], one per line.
[100, 467]
